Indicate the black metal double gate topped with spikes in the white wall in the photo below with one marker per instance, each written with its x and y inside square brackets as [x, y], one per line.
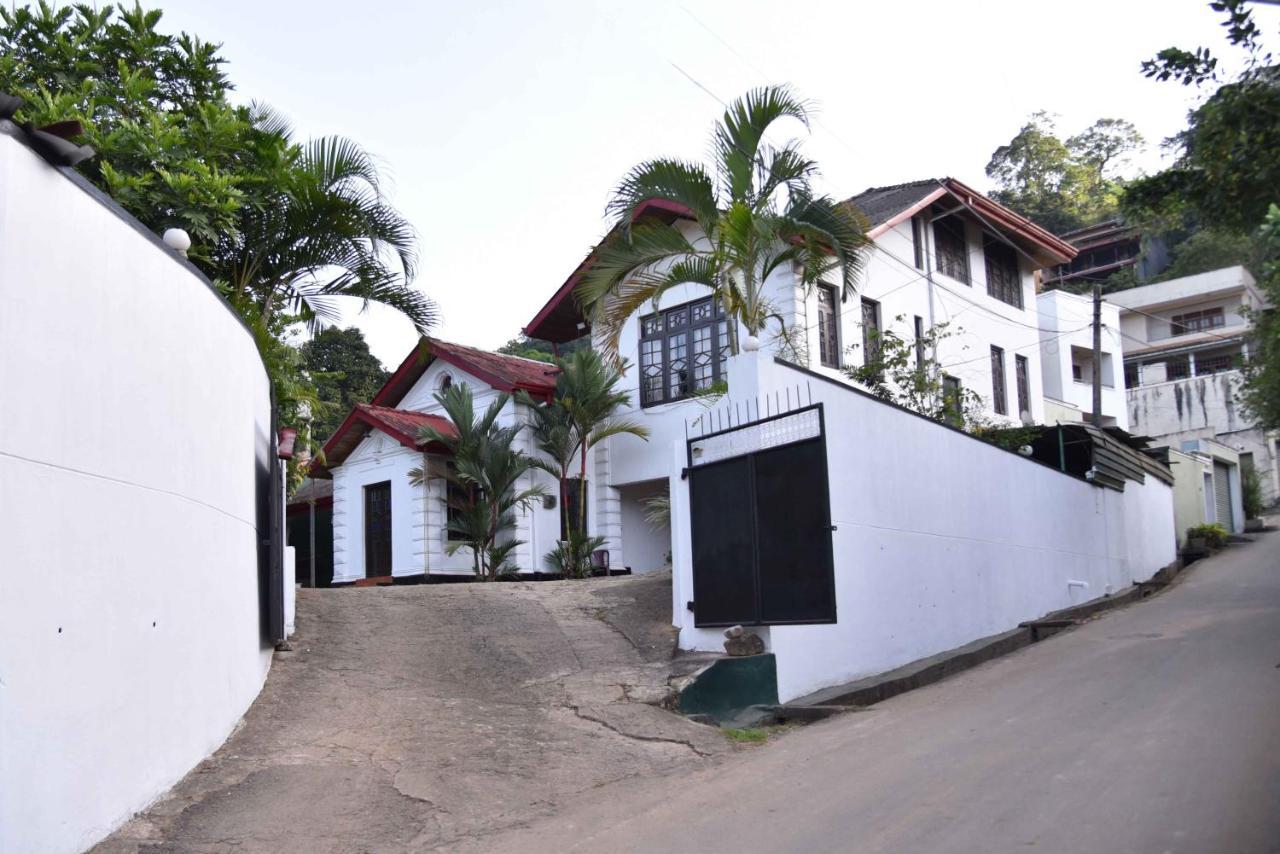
[761, 523]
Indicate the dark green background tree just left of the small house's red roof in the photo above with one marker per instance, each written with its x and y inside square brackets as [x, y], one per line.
[344, 372]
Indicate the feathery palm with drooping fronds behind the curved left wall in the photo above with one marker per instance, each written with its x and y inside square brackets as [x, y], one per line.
[323, 231]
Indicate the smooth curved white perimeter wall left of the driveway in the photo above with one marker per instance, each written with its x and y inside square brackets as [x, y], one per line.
[134, 412]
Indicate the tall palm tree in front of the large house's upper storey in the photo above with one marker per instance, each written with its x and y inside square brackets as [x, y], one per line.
[757, 211]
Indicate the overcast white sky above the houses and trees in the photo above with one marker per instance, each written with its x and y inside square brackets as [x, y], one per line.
[505, 126]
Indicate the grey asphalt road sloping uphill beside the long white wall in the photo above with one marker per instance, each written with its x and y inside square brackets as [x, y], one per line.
[1151, 729]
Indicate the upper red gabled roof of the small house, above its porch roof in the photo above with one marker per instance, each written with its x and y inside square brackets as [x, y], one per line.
[504, 373]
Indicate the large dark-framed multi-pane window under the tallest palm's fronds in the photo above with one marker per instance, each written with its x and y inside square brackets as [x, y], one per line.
[683, 350]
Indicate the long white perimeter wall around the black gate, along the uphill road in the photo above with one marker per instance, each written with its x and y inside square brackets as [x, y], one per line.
[941, 540]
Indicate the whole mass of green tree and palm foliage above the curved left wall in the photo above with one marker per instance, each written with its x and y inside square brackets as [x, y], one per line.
[282, 229]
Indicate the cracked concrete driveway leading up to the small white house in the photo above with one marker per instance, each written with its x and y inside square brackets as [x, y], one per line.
[426, 718]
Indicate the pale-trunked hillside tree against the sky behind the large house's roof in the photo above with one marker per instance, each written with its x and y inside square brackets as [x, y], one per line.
[1063, 185]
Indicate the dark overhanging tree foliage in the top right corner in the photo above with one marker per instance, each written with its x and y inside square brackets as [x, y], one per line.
[1228, 165]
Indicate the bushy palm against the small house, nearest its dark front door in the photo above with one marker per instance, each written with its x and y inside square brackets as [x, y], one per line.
[487, 468]
